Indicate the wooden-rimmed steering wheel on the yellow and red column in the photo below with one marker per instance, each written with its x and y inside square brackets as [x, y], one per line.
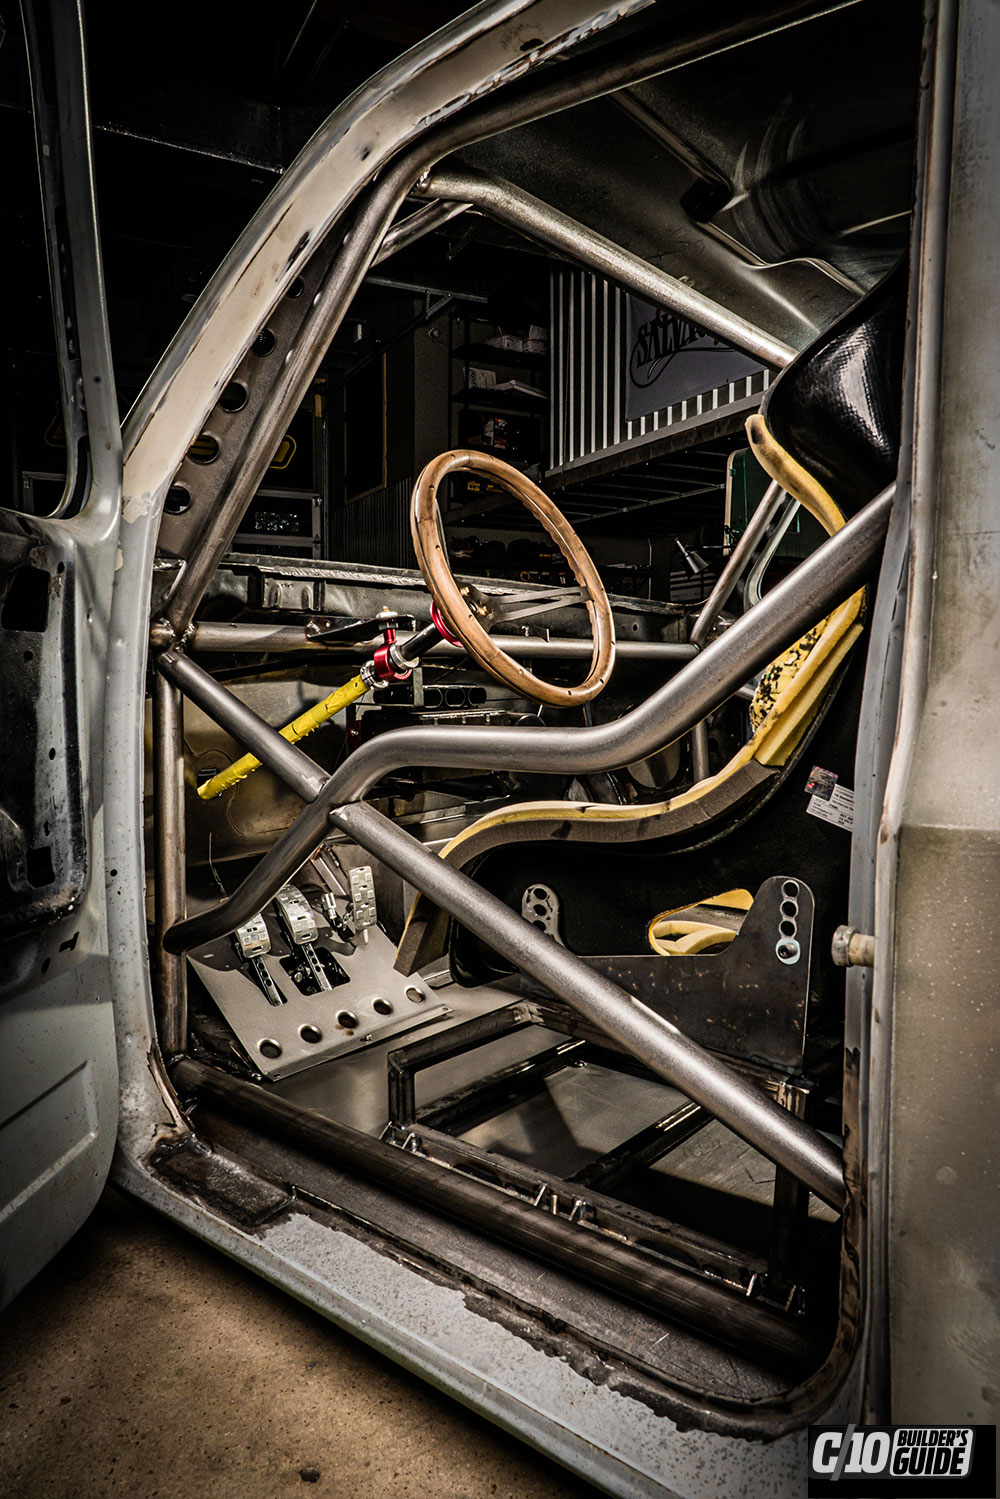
[470, 612]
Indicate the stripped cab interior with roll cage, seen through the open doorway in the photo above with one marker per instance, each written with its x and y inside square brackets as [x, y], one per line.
[389, 570]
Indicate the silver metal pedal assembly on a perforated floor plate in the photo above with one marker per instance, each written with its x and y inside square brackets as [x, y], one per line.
[311, 977]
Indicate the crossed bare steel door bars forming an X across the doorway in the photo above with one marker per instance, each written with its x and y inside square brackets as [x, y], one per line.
[833, 572]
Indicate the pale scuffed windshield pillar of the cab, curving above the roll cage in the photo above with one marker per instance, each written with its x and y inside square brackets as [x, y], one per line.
[467, 59]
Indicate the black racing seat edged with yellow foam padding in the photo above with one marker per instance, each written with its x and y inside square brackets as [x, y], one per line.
[828, 432]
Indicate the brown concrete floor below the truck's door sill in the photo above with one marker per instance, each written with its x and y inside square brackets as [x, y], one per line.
[143, 1363]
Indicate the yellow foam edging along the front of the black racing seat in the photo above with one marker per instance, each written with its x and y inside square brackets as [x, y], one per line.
[785, 710]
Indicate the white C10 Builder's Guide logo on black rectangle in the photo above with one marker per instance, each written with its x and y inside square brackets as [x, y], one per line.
[879, 1462]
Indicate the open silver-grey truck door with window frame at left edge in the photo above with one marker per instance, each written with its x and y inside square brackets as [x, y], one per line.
[59, 1079]
